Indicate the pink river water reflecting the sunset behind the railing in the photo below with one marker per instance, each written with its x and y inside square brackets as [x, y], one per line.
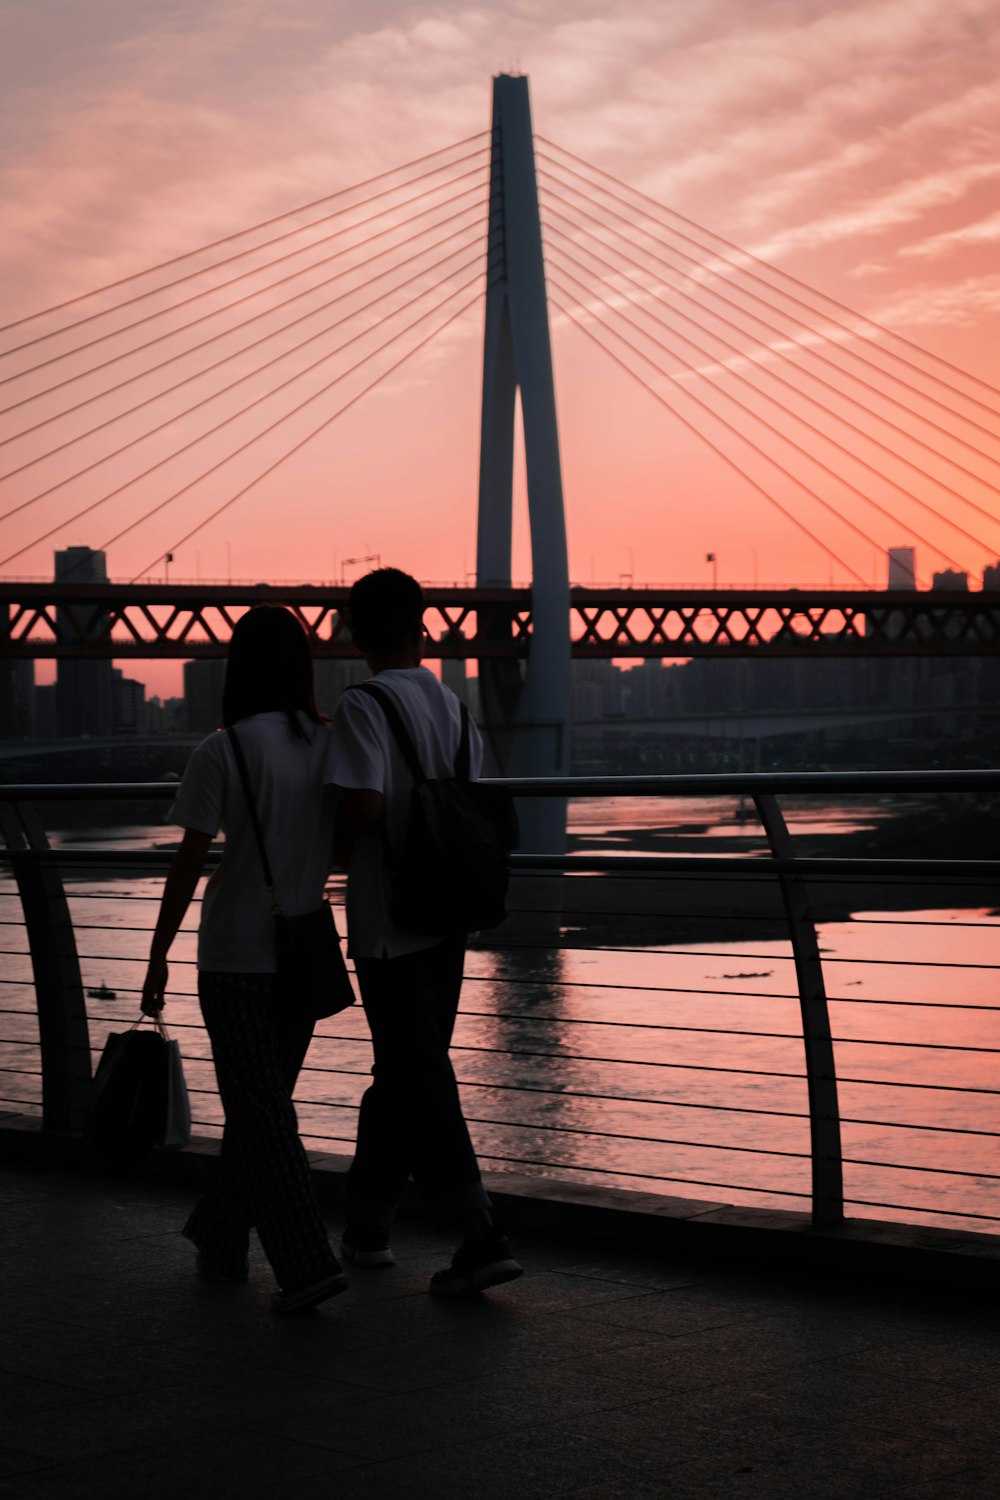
[644, 1034]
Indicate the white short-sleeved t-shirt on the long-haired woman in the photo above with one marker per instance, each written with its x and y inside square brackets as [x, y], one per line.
[290, 778]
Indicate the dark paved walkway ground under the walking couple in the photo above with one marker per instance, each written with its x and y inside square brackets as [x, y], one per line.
[602, 1375]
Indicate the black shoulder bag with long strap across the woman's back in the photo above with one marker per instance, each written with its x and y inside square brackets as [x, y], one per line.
[310, 958]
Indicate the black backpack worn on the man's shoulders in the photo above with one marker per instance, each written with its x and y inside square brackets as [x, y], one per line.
[451, 875]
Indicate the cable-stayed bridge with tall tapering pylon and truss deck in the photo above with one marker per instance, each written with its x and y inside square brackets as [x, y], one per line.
[154, 406]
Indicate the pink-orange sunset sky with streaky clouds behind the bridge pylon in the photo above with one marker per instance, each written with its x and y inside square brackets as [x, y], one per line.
[854, 146]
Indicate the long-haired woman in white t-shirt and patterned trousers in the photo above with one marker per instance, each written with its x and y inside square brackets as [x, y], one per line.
[259, 1034]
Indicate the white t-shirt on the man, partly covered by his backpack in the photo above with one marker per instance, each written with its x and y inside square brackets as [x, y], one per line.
[367, 758]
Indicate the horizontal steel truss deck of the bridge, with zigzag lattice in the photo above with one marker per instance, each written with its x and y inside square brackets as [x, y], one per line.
[188, 620]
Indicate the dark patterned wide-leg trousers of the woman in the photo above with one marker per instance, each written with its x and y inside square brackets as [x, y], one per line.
[259, 1043]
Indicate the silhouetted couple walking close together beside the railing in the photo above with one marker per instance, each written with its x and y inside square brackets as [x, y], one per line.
[314, 781]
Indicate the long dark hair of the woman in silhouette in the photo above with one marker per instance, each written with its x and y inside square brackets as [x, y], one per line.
[269, 668]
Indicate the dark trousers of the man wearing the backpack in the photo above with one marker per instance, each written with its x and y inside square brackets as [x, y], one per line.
[412, 1120]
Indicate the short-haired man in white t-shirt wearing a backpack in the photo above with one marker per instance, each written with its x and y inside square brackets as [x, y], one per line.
[412, 1120]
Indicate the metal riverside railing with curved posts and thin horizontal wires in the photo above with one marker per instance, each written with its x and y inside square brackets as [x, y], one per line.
[581, 1051]
